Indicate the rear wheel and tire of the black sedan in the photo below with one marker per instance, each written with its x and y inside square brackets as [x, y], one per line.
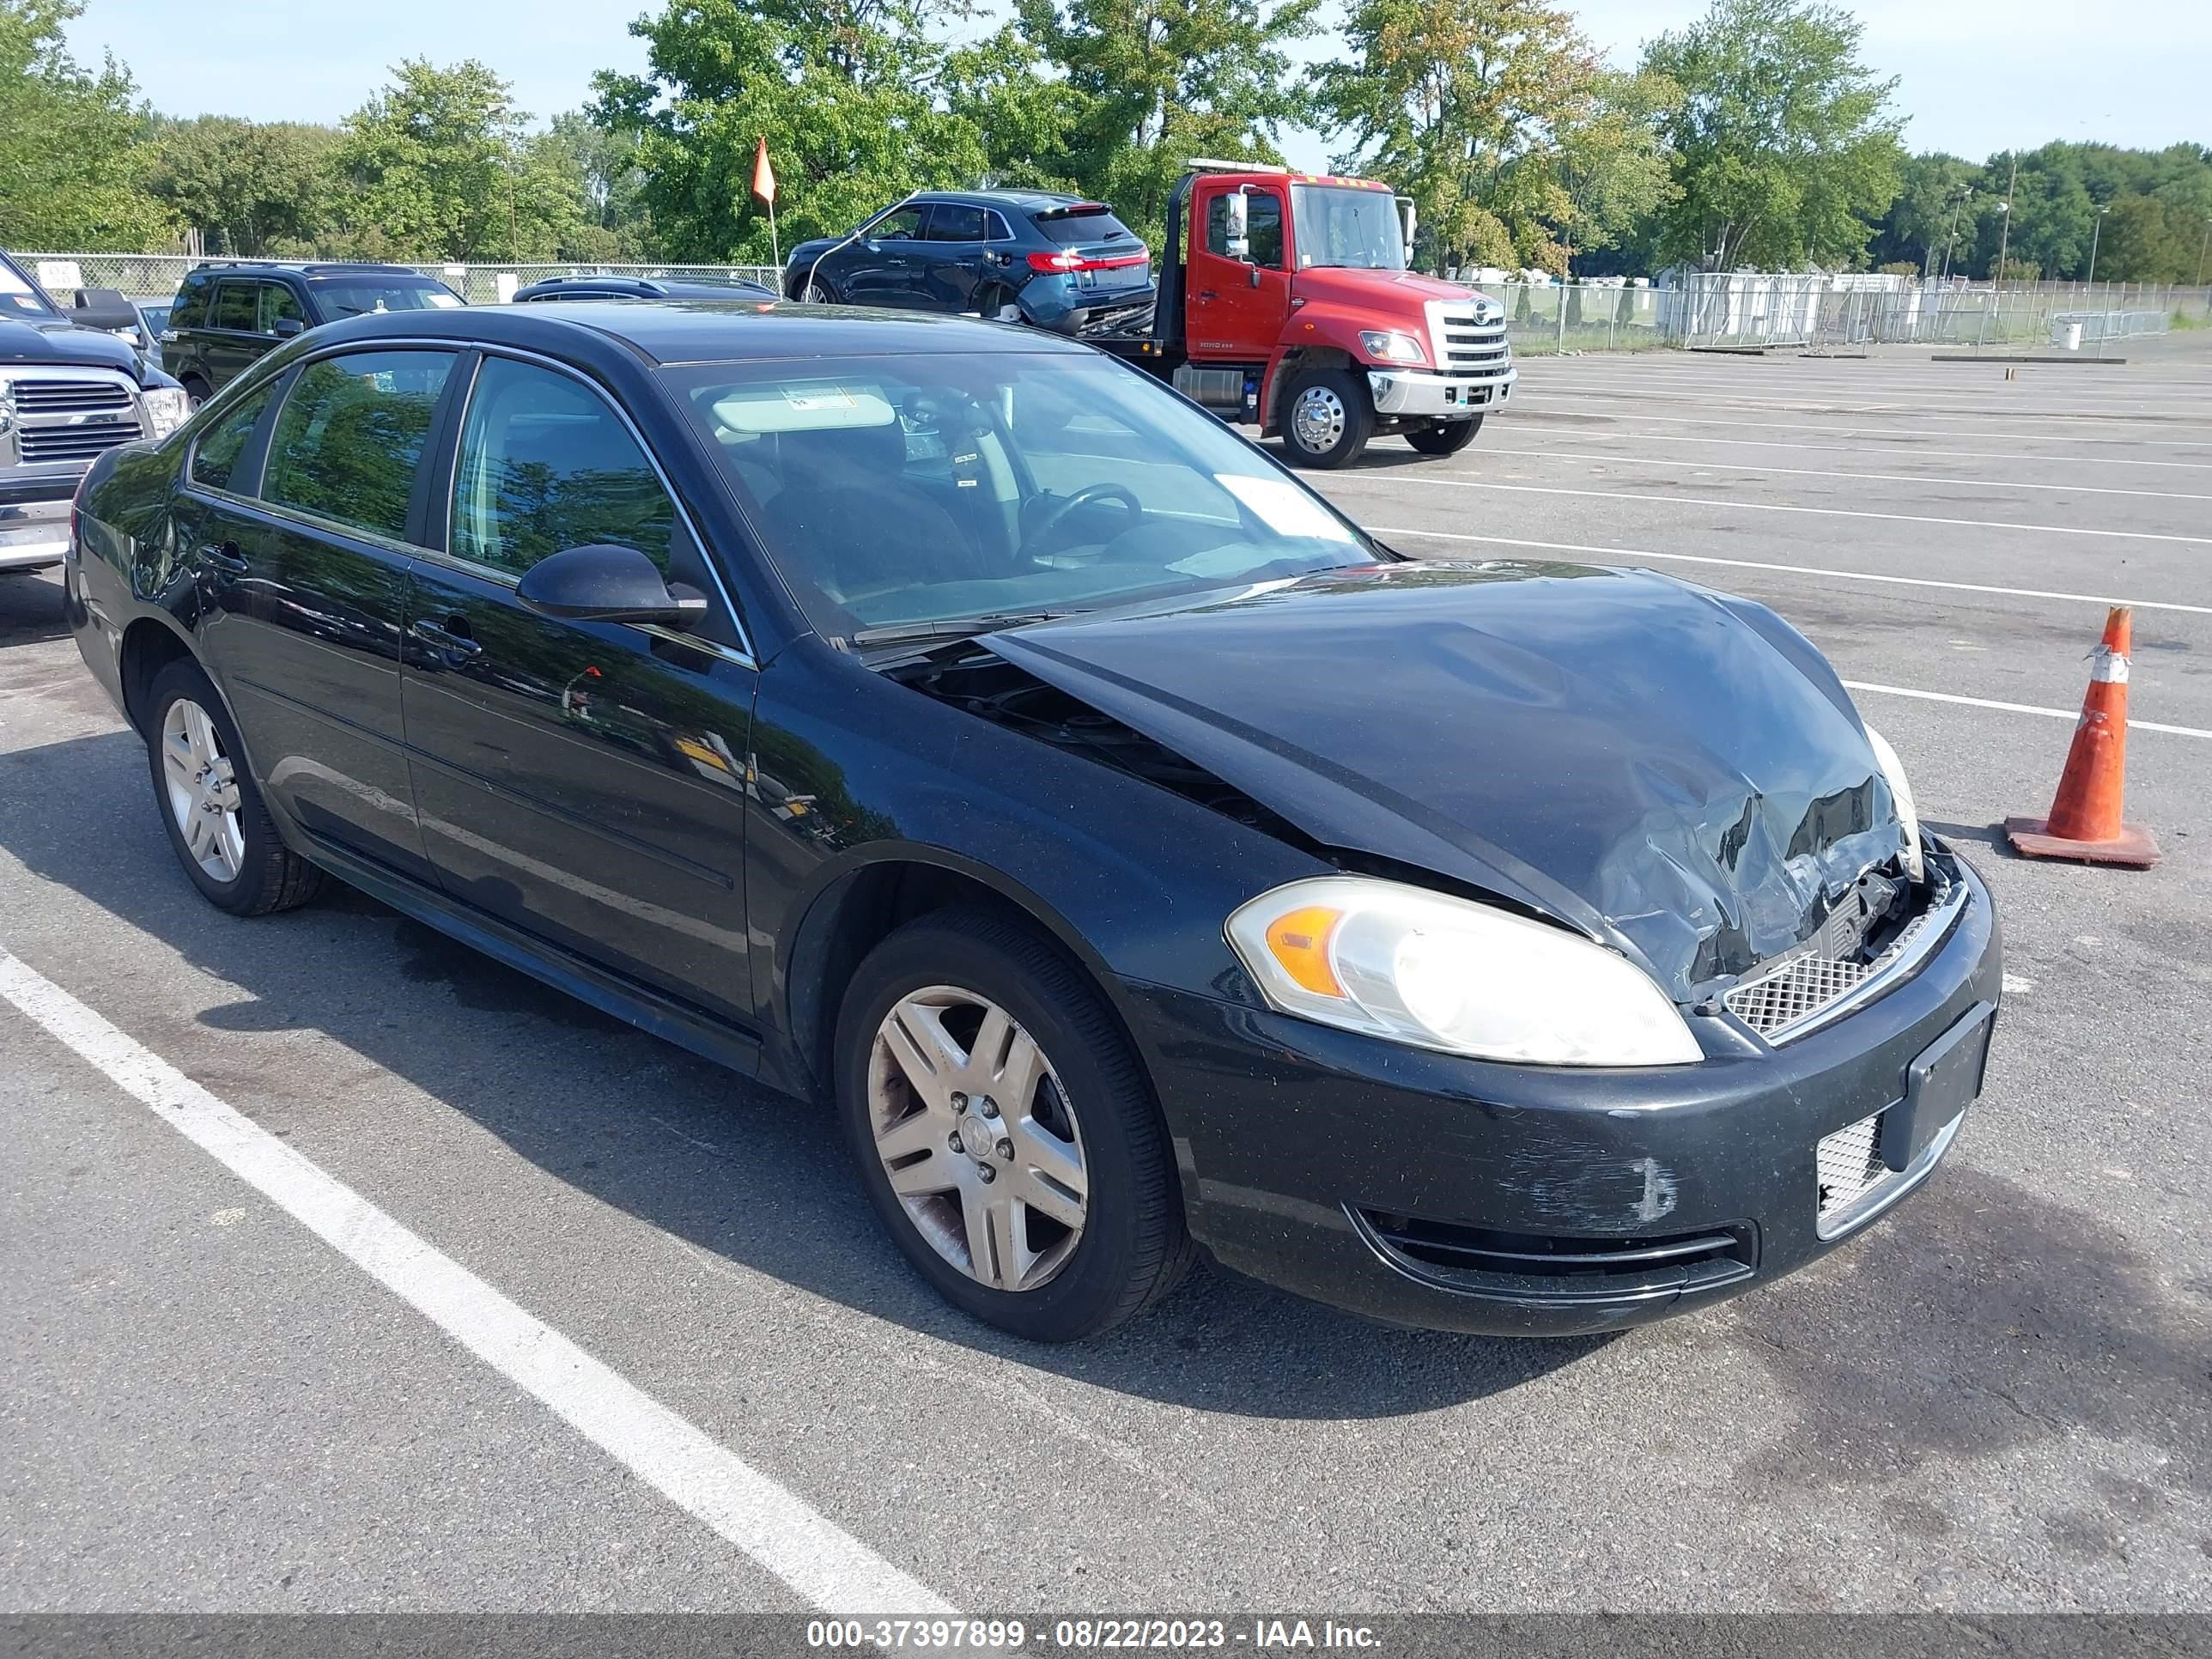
[262, 873]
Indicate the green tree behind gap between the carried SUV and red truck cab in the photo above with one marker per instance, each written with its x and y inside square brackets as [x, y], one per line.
[1158, 83]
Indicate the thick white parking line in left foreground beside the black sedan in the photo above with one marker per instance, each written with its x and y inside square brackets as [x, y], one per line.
[698, 1474]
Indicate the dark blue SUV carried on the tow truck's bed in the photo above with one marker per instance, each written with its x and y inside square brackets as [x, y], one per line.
[1016, 255]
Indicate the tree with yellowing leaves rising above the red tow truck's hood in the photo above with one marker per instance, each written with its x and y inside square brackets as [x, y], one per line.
[1503, 125]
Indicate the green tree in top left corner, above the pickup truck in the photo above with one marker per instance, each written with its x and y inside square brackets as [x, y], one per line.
[70, 143]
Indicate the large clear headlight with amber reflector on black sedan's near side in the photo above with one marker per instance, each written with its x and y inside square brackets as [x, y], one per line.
[1450, 974]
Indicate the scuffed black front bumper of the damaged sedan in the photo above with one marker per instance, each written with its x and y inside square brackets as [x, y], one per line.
[1527, 1200]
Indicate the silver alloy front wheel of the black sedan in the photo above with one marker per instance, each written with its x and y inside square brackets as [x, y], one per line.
[979, 1138]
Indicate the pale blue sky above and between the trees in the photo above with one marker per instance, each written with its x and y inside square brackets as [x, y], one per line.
[1974, 76]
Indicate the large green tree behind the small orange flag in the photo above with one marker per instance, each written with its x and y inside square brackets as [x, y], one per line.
[844, 92]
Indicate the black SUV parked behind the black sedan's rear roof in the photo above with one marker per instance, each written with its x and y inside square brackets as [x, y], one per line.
[231, 315]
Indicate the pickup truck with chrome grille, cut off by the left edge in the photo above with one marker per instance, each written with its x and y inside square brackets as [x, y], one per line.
[70, 390]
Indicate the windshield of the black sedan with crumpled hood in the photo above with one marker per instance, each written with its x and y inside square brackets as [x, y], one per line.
[941, 488]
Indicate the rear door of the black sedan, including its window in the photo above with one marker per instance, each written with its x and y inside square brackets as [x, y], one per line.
[304, 561]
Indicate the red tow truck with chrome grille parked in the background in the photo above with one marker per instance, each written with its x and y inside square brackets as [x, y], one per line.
[1286, 304]
